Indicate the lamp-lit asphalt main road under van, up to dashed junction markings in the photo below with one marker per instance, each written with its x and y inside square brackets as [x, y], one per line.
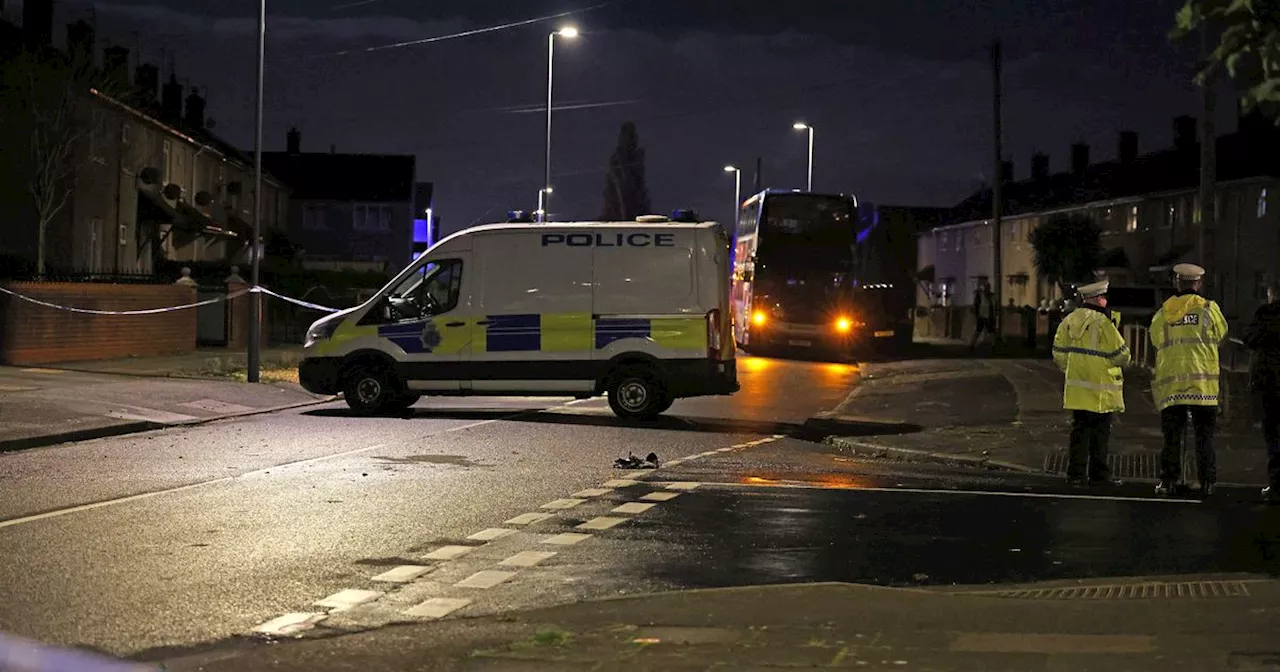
[185, 537]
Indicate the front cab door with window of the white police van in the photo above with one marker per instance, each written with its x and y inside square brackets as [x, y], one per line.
[428, 317]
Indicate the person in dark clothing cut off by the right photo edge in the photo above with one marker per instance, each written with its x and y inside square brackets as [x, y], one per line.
[1263, 336]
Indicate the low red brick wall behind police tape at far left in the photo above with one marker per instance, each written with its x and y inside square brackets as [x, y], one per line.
[36, 335]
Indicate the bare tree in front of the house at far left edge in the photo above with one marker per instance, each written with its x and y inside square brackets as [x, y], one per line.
[47, 112]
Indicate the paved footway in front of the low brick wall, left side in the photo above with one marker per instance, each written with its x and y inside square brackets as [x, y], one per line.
[45, 406]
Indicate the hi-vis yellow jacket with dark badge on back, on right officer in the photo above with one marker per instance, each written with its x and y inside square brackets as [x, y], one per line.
[1186, 333]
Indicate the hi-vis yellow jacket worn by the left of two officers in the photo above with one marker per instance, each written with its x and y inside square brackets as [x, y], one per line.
[1091, 351]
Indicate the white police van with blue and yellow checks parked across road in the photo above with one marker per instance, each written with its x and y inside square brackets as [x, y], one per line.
[638, 312]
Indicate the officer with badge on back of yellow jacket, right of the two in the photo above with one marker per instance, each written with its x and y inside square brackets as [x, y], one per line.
[1187, 332]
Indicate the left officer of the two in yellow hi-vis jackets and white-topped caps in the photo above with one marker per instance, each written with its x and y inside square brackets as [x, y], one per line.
[1092, 354]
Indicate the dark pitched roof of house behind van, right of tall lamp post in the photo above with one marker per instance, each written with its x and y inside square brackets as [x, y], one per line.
[345, 177]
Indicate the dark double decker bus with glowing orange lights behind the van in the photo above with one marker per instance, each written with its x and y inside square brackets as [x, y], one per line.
[796, 286]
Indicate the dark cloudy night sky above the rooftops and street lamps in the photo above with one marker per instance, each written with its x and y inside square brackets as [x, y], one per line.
[899, 93]
